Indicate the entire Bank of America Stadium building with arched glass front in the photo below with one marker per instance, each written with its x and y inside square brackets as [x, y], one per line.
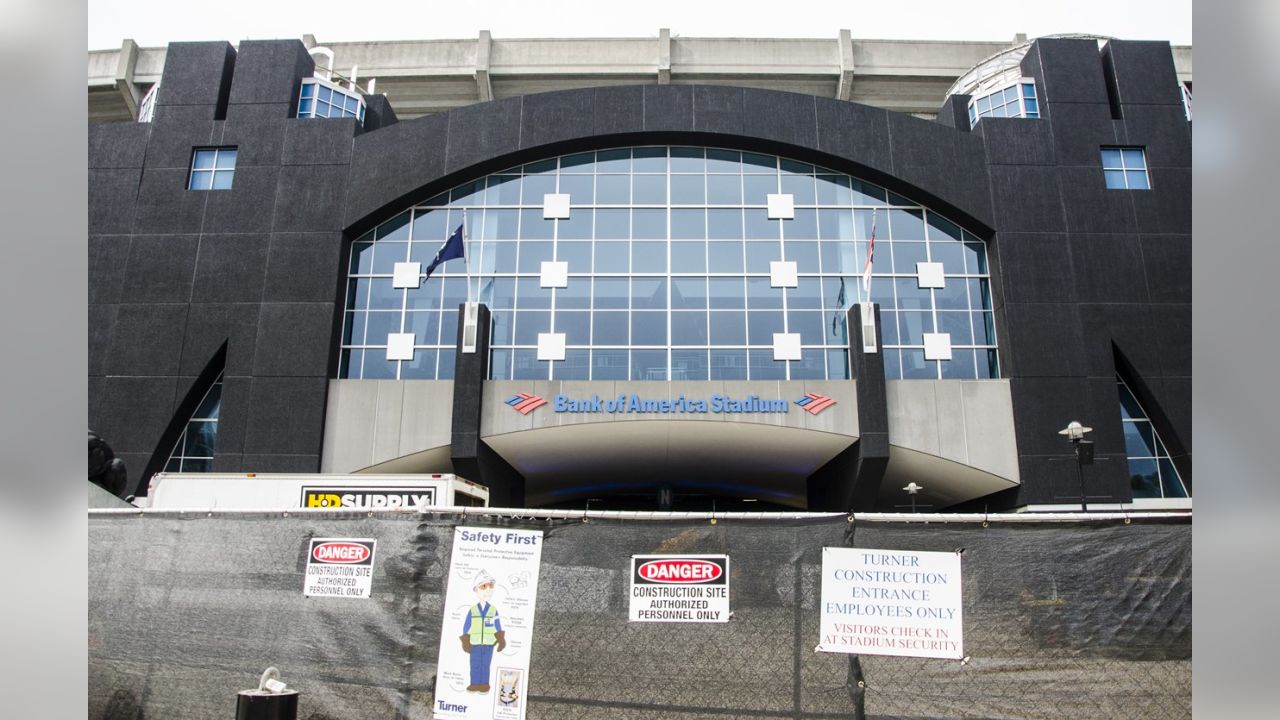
[664, 302]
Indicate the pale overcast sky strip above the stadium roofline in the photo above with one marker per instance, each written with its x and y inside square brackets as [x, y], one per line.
[158, 22]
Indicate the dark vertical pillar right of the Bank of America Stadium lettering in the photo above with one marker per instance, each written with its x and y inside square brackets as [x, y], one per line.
[872, 416]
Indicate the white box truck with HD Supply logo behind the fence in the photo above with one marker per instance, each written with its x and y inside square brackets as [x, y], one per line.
[289, 491]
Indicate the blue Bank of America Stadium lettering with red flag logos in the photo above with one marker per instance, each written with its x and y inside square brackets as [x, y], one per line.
[525, 404]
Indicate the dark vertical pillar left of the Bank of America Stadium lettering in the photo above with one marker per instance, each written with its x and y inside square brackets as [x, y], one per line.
[473, 459]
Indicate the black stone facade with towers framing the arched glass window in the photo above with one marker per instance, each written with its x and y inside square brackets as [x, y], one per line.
[185, 285]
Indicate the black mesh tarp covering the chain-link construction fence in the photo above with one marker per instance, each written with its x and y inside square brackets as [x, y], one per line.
[1062, 621]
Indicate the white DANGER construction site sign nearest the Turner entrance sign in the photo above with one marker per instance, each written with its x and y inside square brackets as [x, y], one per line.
[679, 589]
